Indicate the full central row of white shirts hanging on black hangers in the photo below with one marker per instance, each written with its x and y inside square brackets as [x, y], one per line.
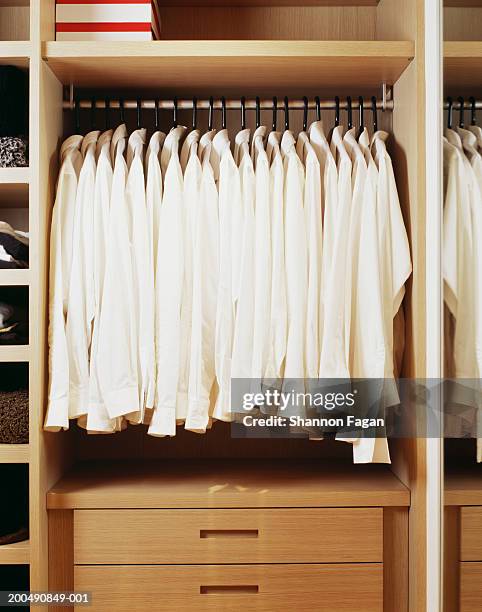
[176, 269]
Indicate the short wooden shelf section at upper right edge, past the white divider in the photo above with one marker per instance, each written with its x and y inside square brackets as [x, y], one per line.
[463, 65]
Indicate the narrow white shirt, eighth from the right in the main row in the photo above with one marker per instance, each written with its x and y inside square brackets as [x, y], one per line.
[278, 320]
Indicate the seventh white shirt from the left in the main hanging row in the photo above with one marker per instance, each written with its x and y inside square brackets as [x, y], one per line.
[169, 284]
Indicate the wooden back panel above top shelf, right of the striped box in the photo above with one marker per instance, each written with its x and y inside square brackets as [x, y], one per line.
[267, 22]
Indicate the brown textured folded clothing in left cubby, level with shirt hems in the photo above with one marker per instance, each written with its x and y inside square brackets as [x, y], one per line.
[14, 417]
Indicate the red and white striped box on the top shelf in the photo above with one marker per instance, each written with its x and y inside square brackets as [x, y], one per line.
[122, 20]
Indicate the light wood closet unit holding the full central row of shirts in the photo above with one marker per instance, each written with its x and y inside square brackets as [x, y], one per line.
[209, 522]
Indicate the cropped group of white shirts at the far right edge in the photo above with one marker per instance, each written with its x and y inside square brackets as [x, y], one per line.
[462, 258]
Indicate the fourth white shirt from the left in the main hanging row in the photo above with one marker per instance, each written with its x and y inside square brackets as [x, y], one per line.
[117, 349]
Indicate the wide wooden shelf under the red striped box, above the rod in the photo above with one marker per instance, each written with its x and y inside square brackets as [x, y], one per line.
[220, 67]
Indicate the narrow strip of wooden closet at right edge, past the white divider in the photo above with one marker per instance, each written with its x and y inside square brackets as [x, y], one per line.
[463, 475]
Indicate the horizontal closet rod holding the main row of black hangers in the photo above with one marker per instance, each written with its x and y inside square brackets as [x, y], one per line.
[187, 104]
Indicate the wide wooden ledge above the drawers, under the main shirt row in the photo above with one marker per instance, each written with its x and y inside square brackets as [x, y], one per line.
[226, 484]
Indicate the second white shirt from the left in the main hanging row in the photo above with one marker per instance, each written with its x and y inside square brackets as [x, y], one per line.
[81, 308]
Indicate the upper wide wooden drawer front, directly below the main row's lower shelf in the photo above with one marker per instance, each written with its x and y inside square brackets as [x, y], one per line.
[313, 535]
